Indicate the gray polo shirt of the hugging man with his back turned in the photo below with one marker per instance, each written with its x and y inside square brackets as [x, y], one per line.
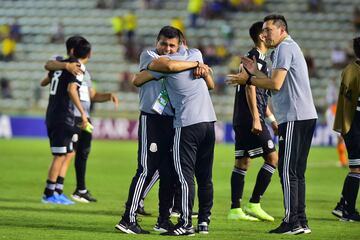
[189, 96]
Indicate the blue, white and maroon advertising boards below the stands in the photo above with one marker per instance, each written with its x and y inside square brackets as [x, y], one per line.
[124, 129]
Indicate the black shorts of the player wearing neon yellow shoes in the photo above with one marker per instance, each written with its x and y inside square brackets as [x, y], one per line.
[250, 145]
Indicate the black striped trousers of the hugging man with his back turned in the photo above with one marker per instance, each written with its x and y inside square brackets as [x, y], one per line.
[193, 155]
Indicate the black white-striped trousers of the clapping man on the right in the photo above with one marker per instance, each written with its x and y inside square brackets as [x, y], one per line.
[294, 145]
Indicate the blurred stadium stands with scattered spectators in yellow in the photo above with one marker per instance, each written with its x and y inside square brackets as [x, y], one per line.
[31, 31]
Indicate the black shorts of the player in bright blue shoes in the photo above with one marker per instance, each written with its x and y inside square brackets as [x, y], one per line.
[60, 137]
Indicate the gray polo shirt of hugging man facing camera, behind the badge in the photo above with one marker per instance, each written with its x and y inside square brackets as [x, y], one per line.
[150, 91]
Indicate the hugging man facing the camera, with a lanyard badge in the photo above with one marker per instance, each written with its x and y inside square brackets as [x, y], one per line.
[155, 137]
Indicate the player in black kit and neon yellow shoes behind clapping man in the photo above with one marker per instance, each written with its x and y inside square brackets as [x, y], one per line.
[252, 138]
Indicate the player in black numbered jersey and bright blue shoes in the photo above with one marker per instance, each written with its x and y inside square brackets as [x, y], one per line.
[60, 118]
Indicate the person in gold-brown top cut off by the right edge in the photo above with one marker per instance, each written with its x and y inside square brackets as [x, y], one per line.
[347, 123]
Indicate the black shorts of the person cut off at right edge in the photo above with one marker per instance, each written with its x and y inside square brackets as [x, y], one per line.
[352, 142]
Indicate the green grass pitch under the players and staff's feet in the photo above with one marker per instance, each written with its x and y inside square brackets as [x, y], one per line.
[23, 171]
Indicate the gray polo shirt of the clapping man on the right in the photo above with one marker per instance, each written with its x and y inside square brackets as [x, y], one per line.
[294, 101]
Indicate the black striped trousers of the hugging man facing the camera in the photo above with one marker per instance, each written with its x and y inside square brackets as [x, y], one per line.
[155, 141]
